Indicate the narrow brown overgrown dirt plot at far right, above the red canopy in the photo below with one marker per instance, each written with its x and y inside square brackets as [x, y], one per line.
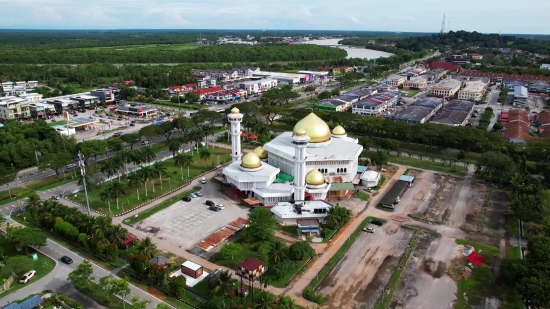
[494, 219]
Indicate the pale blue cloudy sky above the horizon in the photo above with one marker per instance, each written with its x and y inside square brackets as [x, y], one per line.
[486, 16]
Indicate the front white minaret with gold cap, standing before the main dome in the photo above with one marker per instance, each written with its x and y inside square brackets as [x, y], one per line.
[300, 141]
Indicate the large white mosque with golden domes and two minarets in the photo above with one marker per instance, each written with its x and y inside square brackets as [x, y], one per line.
[311, 163]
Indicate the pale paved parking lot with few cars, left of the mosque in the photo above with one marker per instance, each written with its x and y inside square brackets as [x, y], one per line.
[186, 223]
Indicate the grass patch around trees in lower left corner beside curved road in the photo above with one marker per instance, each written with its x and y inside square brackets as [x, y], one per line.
[43, 265]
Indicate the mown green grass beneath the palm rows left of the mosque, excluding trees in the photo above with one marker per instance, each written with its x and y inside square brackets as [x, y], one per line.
[172, 180]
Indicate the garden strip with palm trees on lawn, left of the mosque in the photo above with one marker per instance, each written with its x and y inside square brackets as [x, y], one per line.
[150, 182]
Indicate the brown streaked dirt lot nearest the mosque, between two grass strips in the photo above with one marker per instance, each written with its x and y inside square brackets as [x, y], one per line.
[361, 274]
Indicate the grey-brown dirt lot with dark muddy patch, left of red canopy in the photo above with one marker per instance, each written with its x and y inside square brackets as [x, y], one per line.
[426, 280]
